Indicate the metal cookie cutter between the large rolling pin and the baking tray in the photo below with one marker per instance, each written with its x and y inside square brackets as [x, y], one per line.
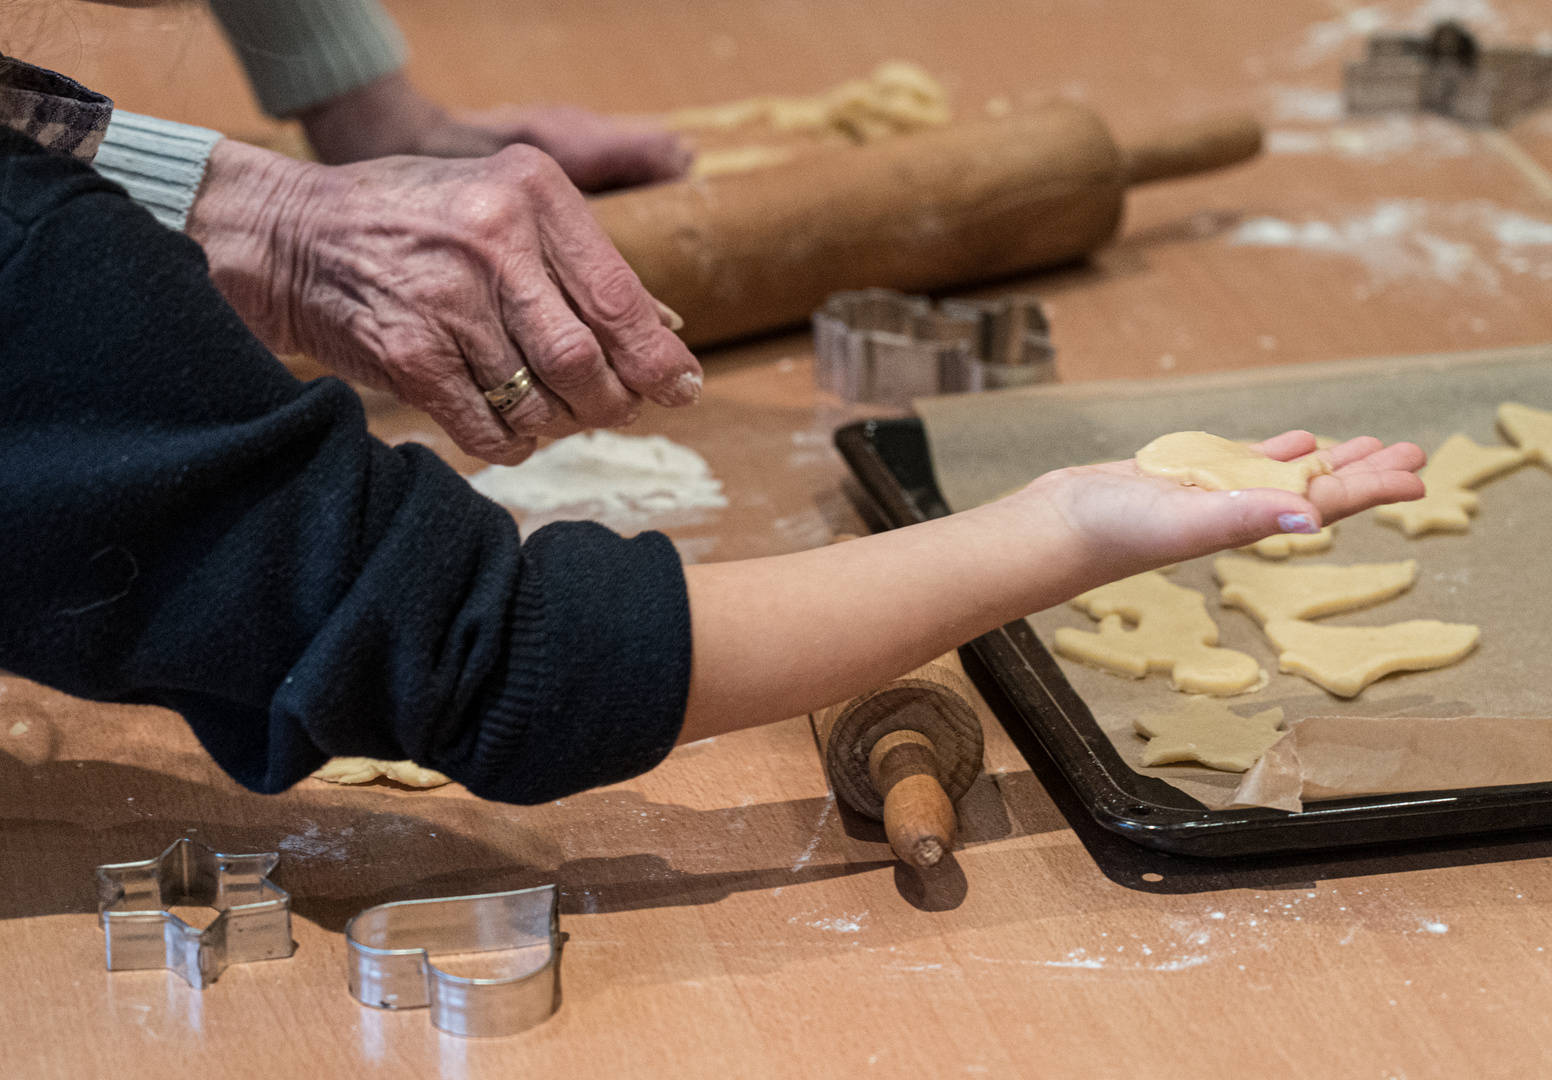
[882, 347]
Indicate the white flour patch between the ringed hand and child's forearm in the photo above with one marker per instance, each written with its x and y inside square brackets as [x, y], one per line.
[609, 474]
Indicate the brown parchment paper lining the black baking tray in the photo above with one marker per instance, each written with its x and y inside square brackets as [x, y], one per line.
[1498, 576]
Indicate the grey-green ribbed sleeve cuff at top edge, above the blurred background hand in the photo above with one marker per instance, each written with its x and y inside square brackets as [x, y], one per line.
[303, 52]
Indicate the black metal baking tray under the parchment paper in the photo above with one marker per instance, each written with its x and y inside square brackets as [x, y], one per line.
[1045, 716]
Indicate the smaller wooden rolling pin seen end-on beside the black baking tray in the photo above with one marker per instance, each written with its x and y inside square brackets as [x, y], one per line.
[906, 753]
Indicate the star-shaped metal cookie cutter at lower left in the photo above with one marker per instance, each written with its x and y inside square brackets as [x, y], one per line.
[142, 933]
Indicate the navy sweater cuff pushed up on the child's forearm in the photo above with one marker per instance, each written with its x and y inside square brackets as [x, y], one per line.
[598, 671]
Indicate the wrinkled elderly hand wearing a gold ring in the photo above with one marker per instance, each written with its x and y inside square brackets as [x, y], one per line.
[437, 280]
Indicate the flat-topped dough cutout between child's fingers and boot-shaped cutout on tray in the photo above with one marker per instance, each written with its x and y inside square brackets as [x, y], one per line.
[1269, 594]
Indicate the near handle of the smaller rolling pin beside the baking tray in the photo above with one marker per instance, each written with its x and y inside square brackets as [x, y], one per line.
[918, 815]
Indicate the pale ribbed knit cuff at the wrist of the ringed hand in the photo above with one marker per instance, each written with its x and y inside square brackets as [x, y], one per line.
[158, 162]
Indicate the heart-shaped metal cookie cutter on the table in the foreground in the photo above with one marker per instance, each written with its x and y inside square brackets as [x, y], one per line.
[392, 947]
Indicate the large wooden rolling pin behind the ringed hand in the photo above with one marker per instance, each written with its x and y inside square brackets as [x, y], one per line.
[750, 252]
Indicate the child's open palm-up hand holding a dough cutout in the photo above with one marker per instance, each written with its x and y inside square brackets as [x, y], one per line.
[1131, 522]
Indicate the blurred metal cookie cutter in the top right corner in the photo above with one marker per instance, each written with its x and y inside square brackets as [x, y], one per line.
[1447, 72]
